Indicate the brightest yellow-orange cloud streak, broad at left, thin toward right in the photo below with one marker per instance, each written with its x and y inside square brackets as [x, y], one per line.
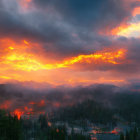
[17, 58]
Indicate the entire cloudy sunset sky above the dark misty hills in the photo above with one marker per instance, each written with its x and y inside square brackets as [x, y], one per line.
[70, 42]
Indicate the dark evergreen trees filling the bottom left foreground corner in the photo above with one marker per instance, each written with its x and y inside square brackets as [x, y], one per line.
[13, 129]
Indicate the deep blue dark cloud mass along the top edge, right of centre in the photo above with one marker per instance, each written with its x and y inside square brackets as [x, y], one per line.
[94, 14]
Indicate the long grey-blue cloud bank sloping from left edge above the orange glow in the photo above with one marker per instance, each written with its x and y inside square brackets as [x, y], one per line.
[40, 30]
